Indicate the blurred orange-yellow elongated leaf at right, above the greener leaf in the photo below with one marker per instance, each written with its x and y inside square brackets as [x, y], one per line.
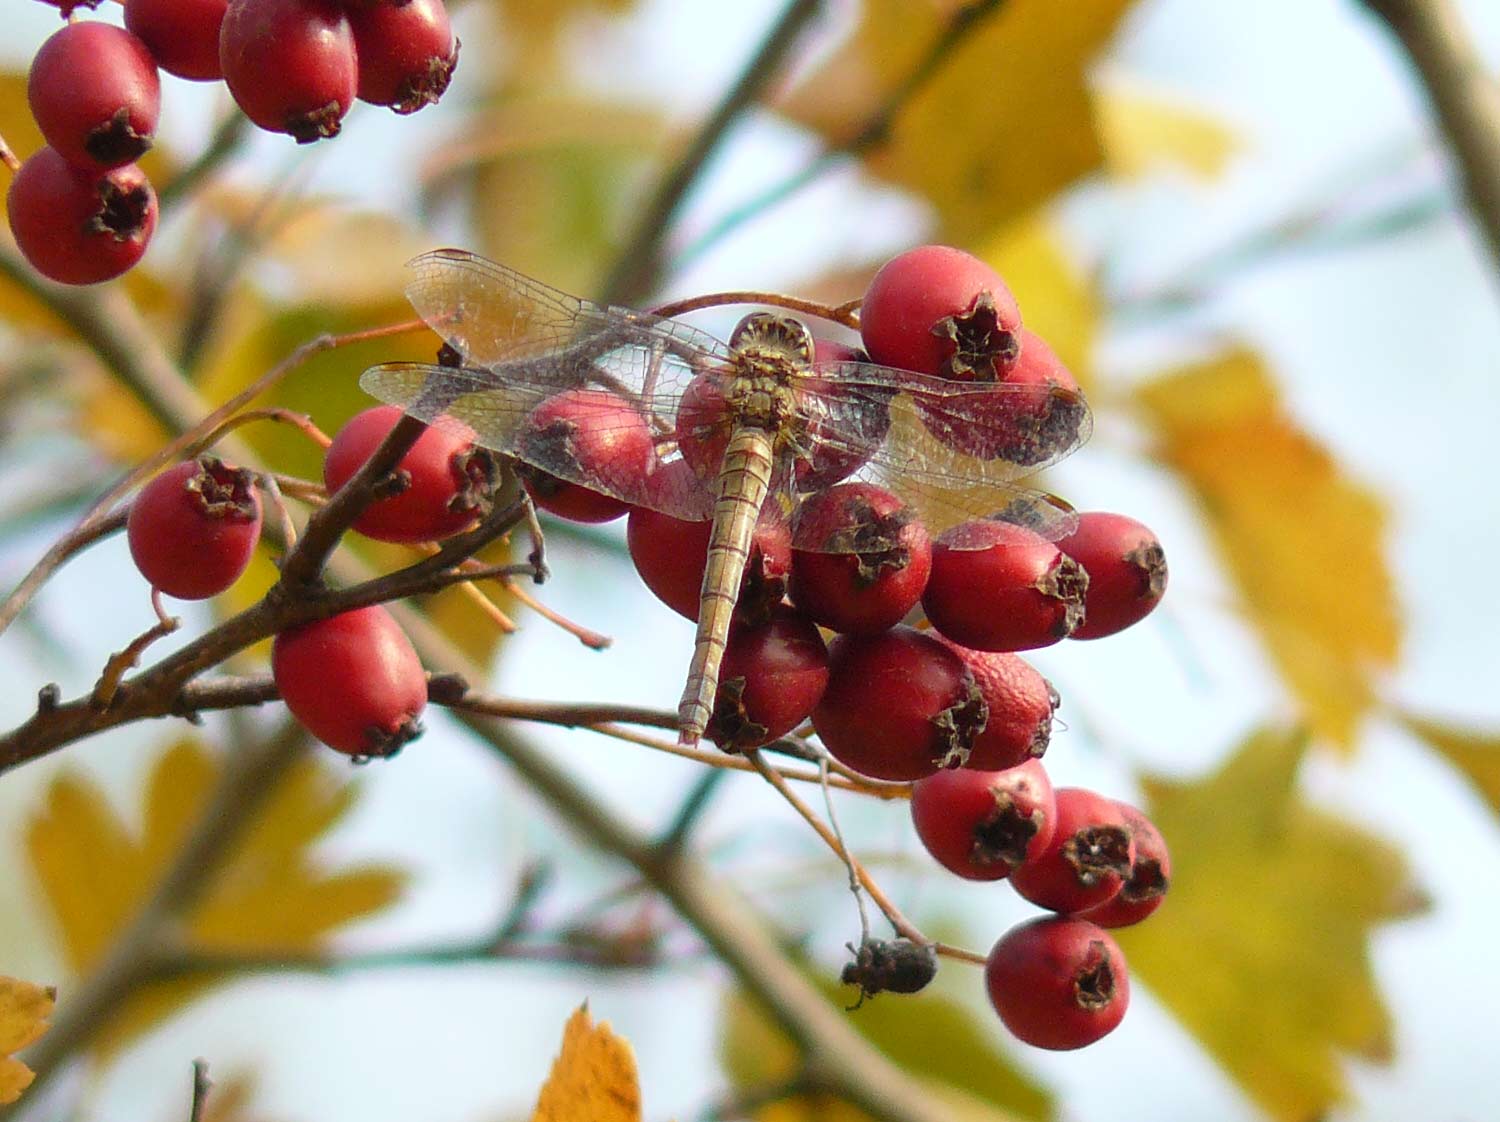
[1304, 544]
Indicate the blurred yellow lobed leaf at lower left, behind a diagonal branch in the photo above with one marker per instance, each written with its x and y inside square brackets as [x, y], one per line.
[271, 893]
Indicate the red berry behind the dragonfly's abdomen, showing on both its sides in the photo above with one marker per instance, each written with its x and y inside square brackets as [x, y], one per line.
[671, 556]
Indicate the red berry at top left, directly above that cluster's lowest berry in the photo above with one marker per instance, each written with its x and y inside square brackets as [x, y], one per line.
[95, 95]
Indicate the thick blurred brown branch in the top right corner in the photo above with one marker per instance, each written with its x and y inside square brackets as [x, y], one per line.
[1465, 95]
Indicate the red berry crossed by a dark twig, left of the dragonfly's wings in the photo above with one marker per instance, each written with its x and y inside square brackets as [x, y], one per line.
[449, 479]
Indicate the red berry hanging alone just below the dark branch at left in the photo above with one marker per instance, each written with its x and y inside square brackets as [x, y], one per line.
[353, 682]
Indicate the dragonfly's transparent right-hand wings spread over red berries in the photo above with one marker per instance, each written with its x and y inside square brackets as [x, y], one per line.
[952, 451]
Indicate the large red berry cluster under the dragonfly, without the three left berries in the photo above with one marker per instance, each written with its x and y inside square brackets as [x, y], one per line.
[952, 709]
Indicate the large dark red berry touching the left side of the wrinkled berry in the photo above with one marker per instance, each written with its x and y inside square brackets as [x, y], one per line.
[899, 706]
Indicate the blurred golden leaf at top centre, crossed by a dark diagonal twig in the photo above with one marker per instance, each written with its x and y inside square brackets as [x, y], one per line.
[1003, 125]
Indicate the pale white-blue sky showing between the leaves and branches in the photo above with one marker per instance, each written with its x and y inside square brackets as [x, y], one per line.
[1388, 352]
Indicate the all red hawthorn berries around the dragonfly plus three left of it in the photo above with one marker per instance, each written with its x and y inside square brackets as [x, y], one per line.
[952, 709]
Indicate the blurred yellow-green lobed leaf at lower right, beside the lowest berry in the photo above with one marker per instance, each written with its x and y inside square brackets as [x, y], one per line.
[1262, 947]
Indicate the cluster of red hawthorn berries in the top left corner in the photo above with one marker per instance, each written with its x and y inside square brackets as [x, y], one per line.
[83, 211]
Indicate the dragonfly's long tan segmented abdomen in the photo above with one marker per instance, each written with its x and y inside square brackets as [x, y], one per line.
[745, 481]
